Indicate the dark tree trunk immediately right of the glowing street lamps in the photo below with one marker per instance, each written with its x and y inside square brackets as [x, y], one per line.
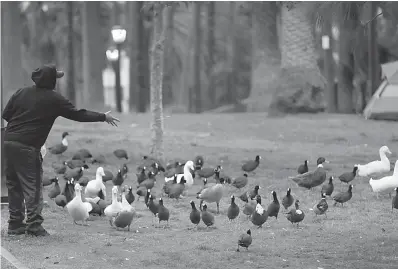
[134, 41]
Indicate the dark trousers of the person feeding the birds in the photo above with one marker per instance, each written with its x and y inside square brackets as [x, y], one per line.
[23, 169]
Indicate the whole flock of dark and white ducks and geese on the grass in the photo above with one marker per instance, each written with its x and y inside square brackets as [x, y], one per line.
[179, 176]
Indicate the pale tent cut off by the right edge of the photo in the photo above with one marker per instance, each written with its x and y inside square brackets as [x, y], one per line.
[384, 103]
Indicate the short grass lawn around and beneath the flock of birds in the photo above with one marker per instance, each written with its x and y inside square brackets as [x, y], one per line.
[362, 234]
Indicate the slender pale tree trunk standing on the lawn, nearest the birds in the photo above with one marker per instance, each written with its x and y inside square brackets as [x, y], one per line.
[156, 84]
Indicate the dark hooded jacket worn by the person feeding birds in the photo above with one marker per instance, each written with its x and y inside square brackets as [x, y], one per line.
[31, 111]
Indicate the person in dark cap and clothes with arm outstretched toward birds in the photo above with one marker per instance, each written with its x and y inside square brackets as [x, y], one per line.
[30, 114]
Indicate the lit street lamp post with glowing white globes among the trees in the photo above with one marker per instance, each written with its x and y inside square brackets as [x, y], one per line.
[119, 36]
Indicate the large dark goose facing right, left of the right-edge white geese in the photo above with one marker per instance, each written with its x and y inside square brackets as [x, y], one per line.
[314, 178]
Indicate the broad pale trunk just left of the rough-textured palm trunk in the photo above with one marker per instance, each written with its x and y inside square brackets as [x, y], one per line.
[266, 55]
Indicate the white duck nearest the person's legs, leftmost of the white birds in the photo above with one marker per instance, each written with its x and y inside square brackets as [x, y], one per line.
[78, 209]
